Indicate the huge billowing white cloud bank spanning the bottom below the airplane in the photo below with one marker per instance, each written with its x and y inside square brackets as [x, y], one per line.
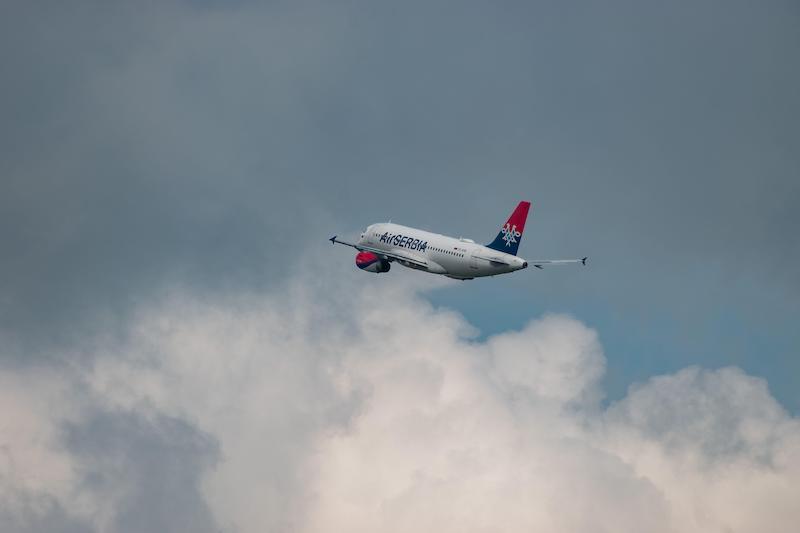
[363, 408]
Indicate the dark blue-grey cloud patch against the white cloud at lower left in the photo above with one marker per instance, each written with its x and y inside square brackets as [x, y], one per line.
[146, 469]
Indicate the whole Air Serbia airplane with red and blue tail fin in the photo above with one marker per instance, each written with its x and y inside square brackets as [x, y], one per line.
[385, 243]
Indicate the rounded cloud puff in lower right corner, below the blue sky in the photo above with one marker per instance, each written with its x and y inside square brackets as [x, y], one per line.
[716, 443]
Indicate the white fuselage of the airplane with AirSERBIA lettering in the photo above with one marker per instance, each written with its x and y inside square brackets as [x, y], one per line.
[455, 258]
